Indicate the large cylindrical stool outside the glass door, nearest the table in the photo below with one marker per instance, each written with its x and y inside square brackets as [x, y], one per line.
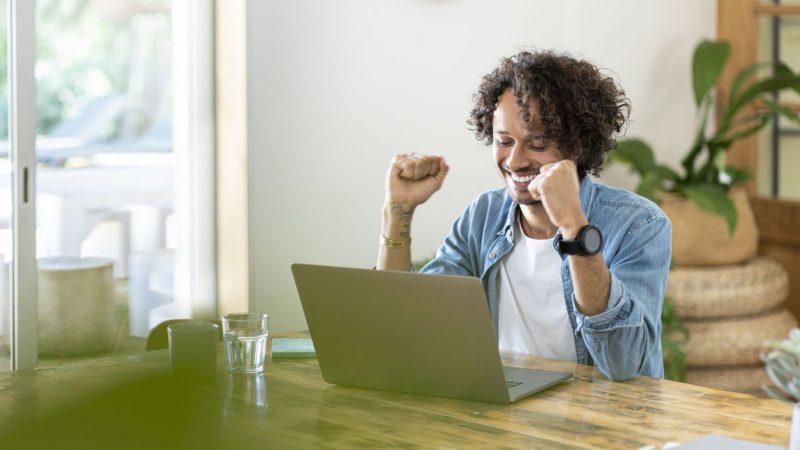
[76, 305]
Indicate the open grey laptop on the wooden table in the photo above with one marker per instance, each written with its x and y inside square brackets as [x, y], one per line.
[409, 332]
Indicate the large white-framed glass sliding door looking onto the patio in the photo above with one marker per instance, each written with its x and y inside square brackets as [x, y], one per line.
[114, 164]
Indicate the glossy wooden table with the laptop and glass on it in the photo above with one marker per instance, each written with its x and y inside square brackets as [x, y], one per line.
[133, 402]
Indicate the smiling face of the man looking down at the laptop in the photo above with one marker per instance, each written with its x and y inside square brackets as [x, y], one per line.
[519, 150]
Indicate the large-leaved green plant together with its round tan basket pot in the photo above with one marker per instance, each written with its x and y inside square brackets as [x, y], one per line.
[706, 184]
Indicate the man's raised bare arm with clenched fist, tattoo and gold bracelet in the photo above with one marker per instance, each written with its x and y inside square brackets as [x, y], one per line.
[410, 182]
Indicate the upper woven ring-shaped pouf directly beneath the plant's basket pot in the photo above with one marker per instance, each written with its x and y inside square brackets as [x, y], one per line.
[727, 291]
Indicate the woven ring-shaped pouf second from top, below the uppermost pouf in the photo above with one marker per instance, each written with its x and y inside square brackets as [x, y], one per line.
[731, 342]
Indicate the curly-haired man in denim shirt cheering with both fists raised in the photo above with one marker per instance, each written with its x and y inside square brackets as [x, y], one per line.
[573, 269]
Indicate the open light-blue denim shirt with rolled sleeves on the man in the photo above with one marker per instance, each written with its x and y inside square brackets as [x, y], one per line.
[625, 339]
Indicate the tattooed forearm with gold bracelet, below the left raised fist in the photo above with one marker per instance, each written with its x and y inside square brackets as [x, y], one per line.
[395, 226]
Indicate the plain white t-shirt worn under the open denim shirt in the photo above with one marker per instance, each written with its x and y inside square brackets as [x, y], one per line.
[532, 311]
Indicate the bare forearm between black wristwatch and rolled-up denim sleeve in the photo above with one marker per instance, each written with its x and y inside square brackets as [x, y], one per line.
[591, 280]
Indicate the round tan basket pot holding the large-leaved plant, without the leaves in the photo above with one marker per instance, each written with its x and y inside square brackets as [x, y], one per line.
[700, 238]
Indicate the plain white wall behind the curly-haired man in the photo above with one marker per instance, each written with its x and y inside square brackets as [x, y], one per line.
[336, 87]
